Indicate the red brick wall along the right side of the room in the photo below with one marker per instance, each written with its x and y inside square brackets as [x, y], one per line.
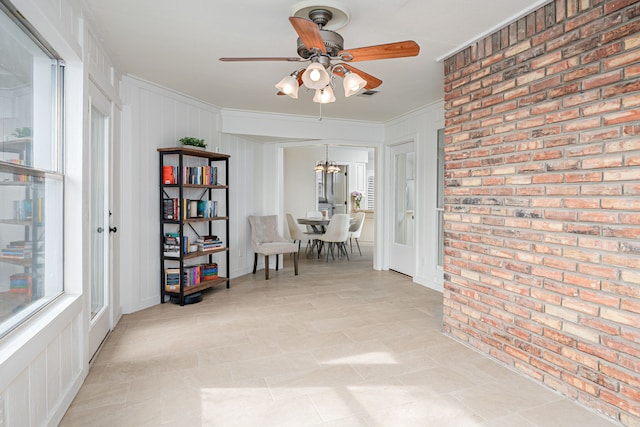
[542, 209]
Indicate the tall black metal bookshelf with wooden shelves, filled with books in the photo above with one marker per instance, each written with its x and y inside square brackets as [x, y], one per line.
[206, 189]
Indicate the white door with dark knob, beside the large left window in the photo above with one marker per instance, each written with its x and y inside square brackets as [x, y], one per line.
[100, 291]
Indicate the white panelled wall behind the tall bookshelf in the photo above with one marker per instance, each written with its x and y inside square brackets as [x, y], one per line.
[156, 117]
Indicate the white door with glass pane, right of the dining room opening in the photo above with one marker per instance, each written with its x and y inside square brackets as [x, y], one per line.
[402, 230]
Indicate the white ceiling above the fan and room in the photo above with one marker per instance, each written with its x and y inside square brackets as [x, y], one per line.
[177, 44]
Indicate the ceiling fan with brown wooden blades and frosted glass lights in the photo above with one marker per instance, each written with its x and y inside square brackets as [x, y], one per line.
[324, 50]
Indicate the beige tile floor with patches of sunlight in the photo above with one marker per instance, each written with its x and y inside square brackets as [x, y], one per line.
[338, 345]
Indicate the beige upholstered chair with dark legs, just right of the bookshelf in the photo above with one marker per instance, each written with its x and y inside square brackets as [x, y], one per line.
[266, 241]
